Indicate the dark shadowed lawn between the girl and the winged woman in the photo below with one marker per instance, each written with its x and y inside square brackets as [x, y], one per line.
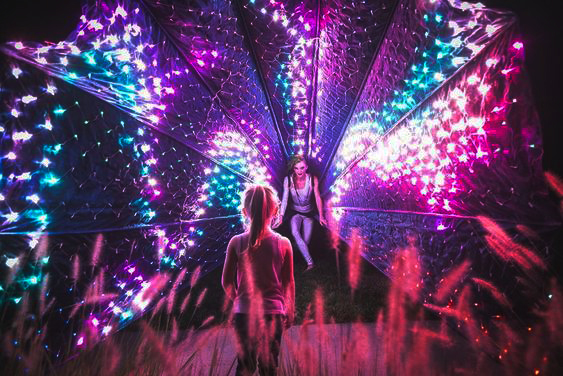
[330, 276]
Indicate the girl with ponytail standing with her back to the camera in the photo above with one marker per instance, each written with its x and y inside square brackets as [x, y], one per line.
[258, 276]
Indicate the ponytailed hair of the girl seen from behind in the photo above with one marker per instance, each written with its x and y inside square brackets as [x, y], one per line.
[261, 204]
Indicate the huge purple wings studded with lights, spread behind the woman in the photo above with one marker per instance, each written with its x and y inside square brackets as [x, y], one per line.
[129, 142]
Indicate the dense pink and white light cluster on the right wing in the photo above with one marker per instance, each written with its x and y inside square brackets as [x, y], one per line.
[433, 156]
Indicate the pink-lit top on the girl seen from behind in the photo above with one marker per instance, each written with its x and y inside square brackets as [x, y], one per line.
[259, 272]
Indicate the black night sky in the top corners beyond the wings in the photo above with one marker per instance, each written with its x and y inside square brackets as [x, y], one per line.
[43, 20]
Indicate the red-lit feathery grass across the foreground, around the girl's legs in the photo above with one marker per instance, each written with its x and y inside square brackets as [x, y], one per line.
[390, 331]
